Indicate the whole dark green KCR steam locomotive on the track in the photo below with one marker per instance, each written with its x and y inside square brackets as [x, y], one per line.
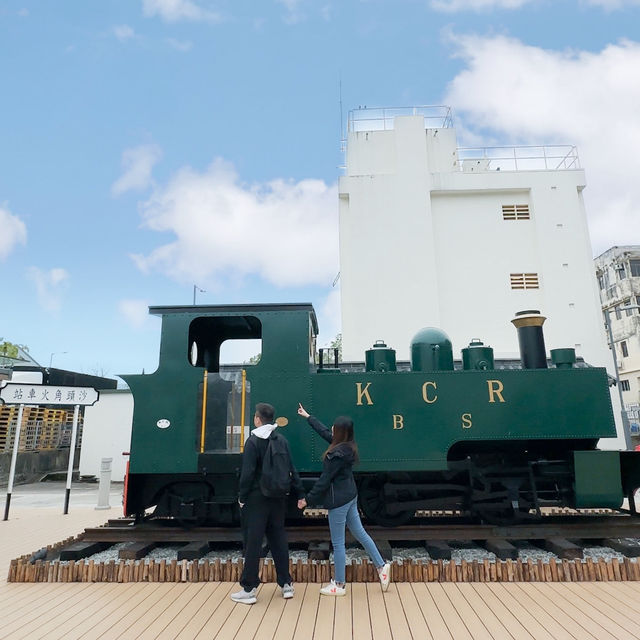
[498, 444]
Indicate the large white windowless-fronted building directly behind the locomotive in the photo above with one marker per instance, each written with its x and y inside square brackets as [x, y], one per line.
[461, 239]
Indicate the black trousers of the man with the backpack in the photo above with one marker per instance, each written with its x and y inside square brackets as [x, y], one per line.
[264, 516]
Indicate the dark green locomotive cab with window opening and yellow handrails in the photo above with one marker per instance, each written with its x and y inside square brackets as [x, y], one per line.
[191, 418]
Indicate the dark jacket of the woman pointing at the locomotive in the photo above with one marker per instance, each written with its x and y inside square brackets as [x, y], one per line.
[336, 485]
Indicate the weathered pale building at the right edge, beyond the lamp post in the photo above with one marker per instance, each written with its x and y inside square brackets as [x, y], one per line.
[618, 271]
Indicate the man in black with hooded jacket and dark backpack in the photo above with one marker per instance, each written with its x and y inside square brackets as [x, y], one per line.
[266, 480]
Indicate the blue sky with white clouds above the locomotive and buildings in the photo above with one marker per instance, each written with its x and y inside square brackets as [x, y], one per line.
[150, 145]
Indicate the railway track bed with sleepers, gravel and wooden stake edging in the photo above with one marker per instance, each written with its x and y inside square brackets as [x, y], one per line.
[563, 538]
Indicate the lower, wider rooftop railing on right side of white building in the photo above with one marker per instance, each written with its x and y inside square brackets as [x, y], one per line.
[522, 158]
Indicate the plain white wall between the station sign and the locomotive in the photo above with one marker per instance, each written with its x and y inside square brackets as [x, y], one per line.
[107, 433]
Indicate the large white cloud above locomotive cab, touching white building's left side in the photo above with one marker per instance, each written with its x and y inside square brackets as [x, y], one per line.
[283, 231]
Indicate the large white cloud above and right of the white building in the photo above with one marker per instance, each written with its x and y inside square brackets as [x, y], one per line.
[529, 95]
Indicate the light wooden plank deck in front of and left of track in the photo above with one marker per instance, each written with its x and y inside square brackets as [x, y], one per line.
[447, 611]
